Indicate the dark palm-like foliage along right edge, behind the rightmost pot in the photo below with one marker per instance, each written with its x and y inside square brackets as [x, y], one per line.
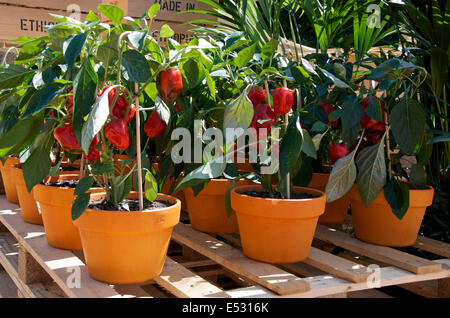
[423, 27]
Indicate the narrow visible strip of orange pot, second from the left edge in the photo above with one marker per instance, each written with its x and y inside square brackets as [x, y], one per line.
[28, 207]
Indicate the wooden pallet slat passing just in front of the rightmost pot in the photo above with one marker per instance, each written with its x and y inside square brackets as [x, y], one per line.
[385, 254]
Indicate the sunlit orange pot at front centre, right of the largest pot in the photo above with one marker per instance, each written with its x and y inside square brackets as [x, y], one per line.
[277, 231]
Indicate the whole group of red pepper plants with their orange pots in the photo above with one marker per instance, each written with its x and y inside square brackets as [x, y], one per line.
[111, 98]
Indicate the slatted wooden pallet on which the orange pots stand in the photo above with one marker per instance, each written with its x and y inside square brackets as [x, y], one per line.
[203, 265]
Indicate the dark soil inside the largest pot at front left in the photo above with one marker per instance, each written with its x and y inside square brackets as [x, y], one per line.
[128, 205]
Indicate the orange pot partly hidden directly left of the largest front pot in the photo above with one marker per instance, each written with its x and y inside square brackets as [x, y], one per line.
[55, 204]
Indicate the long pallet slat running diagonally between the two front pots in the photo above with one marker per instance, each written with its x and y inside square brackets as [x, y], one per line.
[233, 259]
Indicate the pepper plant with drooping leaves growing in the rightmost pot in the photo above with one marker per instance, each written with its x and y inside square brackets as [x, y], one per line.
[389, 125]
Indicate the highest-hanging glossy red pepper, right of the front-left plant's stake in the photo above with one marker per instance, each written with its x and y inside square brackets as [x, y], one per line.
[169, 85]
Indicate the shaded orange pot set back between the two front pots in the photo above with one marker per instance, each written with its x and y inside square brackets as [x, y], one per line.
[207, 211]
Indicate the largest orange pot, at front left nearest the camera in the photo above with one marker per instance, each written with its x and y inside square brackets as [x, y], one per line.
[127, 247]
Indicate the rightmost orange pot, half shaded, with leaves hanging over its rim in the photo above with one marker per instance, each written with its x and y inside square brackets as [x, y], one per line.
[377, 223]
